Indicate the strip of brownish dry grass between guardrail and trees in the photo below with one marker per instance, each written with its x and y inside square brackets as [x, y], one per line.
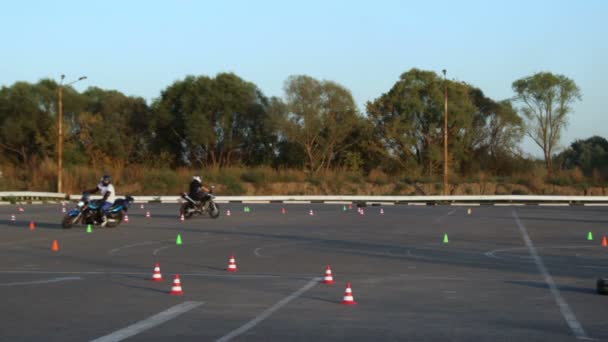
[139, 179]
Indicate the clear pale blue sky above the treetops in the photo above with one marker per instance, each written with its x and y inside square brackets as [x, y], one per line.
[140, 47]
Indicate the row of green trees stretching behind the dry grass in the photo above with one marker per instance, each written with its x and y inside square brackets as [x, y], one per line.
[222, 121]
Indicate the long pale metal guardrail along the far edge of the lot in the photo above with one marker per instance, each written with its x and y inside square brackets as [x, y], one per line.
[24, 196]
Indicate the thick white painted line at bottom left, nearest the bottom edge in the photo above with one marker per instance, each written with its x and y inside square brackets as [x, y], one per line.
[149, 323]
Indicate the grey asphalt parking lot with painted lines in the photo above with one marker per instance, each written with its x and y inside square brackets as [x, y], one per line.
[507, 273]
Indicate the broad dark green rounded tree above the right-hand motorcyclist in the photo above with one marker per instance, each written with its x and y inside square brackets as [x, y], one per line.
[214, 121]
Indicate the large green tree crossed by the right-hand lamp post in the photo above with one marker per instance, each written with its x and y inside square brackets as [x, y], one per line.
[409, 121]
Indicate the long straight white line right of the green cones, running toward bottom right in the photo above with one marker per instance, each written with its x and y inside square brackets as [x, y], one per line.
[573, 323]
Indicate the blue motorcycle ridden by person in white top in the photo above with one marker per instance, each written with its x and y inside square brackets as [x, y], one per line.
[89, 212]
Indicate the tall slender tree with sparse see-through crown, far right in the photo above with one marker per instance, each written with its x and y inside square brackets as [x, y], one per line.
[547, 100]
